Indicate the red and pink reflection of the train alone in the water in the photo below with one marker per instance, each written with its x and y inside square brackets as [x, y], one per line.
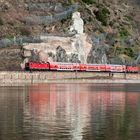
[73, 96]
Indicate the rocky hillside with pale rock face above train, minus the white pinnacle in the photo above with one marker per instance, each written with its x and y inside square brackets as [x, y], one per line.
[111, 29]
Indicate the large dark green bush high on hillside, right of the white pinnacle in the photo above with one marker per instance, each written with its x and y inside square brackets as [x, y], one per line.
[102, 15]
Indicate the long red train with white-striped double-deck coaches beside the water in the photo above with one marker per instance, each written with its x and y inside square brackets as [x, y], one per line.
[56, 66]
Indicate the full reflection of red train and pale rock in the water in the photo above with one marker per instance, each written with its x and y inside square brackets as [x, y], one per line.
[74, 107]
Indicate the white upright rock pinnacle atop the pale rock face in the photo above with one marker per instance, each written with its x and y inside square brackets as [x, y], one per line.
[77, 23]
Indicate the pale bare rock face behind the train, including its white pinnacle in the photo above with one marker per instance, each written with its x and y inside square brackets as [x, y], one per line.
[73, 49]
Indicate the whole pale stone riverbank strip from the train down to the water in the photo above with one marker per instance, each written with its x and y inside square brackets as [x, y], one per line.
[23, 78]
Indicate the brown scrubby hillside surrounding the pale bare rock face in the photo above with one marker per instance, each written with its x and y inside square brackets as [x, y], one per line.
[115, 24]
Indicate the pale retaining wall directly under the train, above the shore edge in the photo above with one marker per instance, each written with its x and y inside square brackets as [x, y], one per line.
[38, 77]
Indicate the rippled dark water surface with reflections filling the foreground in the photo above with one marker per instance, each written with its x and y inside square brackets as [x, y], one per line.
[70, 112]
